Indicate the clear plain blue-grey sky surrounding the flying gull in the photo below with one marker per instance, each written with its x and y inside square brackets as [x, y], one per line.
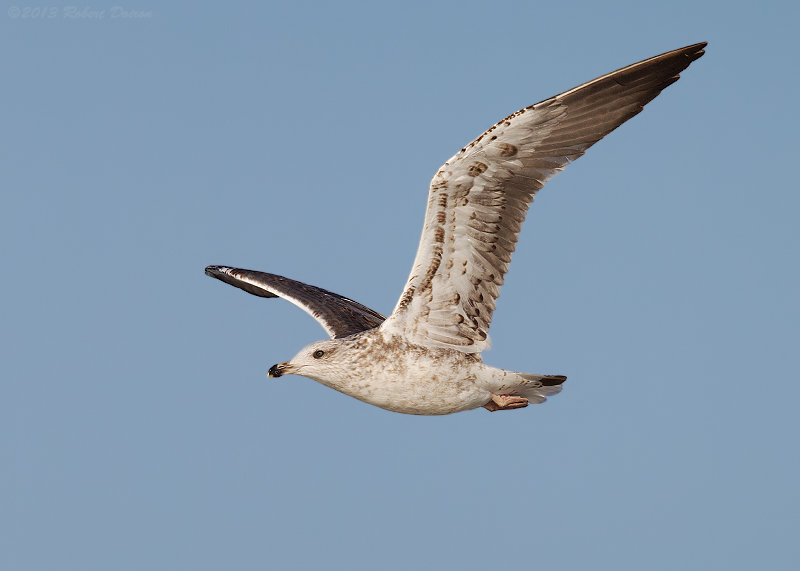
[138, 428]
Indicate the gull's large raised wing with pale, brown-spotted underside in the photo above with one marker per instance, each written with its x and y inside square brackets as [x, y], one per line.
[479, 199]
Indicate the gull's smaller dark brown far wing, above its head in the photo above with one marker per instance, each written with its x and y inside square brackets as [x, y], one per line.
[339, 315]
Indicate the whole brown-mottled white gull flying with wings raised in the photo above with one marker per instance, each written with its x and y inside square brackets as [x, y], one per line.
[425, 358]
